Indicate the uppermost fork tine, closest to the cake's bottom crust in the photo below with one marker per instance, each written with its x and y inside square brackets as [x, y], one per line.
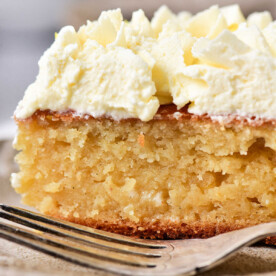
[98, 234]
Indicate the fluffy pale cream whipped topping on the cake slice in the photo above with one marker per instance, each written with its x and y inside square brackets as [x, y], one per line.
[217, 61]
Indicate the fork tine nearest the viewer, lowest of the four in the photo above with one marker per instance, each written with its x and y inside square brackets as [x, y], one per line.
[70, 253]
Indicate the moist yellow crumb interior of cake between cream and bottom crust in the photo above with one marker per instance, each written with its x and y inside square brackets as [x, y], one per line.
[181, 171]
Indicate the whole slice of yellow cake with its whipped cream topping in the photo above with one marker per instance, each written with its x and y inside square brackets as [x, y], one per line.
[154, 129]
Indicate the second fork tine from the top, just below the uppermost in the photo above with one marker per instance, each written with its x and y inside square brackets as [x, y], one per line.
[100, 244]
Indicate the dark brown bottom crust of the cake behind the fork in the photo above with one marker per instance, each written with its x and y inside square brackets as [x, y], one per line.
[160, 230]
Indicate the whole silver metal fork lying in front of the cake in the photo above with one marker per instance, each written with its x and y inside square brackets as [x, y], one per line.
[123, 255]
